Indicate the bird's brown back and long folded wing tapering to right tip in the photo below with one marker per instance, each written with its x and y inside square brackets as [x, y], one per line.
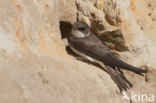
[93, 47]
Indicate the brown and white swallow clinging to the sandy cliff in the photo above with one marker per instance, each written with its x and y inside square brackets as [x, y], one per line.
[86, 44]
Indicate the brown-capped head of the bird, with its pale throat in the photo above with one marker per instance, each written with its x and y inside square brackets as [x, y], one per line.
[80, 29]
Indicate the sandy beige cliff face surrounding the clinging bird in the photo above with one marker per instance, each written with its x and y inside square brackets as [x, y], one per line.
[34, 64]
